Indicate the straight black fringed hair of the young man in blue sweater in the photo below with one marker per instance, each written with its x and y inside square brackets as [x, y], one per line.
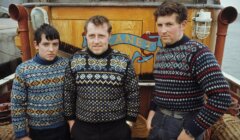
[50, 32]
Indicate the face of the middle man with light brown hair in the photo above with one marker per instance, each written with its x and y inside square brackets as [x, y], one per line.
[97, 38]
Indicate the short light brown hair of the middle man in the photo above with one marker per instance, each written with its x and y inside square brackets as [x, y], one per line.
[98, 21]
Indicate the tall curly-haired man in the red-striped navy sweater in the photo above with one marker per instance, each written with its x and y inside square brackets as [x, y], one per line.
[185, 72]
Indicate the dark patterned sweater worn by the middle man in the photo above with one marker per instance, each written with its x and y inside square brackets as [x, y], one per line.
[101, 88]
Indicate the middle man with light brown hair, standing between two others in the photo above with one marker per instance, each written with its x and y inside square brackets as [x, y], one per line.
[101, 88]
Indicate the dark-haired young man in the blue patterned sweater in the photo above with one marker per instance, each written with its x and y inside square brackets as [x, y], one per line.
[37, 92]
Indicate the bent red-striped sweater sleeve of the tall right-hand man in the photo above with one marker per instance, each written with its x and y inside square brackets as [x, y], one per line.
[208, 75]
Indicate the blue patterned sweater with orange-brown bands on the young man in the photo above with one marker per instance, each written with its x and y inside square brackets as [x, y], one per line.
[37, 95]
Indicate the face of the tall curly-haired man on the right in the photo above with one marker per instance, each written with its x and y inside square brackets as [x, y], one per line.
[169, 30]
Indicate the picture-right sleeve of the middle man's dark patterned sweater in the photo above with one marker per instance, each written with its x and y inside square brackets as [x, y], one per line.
[132, 93]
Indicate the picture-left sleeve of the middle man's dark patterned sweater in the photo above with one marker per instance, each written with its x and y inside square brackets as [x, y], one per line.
[69, 94]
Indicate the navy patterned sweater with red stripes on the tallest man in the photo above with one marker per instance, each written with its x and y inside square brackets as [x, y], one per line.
[184, 72]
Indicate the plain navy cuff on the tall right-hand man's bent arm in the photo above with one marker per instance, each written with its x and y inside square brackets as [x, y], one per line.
[194, 129]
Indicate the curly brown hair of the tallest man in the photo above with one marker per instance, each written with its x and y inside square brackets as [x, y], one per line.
[168, 8]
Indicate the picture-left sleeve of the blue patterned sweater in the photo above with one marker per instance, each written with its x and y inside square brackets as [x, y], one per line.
[19, 104]
